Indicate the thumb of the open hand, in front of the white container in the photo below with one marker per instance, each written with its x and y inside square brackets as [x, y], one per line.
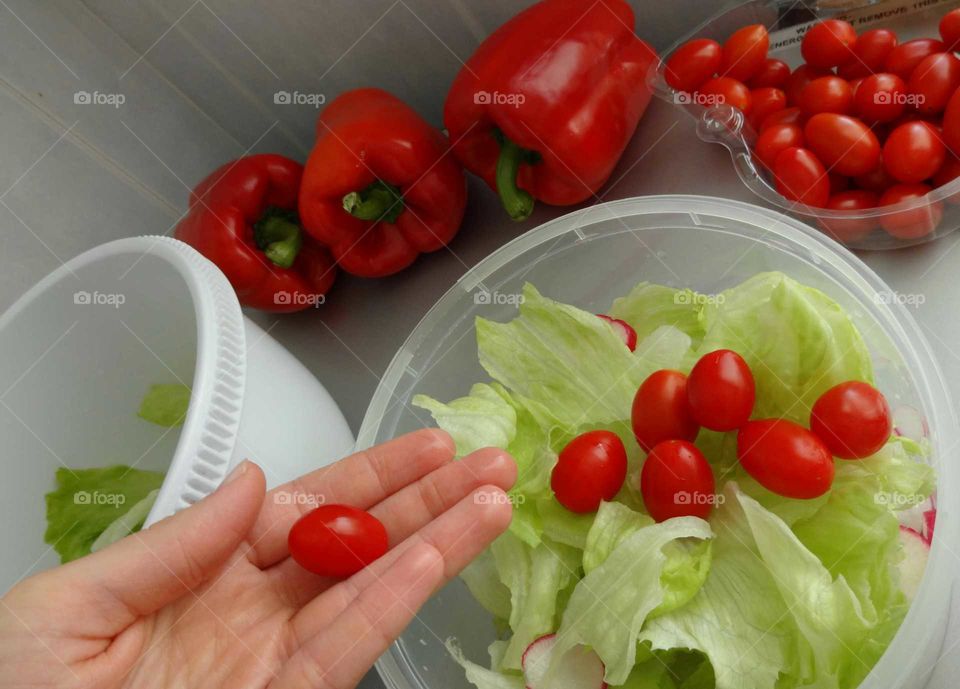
[147, 570]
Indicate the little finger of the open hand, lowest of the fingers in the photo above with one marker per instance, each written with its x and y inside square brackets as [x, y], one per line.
[338, 657]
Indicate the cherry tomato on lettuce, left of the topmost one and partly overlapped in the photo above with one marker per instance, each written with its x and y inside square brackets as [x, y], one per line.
[660, 410]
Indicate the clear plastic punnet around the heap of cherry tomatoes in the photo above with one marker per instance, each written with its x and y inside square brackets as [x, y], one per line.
[787, 21]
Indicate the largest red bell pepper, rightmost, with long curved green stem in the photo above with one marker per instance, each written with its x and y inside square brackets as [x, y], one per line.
[546, 105]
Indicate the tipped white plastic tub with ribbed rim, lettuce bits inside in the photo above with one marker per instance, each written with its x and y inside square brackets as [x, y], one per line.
[83, 346]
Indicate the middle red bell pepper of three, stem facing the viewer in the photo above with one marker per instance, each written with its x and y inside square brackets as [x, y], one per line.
[380, 186]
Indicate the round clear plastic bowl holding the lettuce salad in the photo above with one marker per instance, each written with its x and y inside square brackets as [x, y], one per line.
[590, 257]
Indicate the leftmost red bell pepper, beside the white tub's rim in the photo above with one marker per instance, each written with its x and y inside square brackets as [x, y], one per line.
[243, 218]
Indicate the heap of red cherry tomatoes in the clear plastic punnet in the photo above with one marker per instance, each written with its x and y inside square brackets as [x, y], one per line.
[865, 122]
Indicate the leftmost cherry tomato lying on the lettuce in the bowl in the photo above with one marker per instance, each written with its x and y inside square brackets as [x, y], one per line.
[591, 468]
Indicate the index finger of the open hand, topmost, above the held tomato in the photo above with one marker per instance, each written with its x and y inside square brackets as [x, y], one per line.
[361, 480]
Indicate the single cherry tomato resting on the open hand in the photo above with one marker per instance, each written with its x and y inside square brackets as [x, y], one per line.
[336, 540]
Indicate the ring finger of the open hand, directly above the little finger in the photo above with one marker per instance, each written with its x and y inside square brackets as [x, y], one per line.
[459, 535]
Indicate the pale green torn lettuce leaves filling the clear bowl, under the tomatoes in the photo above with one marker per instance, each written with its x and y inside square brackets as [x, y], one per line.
[770, 592]
